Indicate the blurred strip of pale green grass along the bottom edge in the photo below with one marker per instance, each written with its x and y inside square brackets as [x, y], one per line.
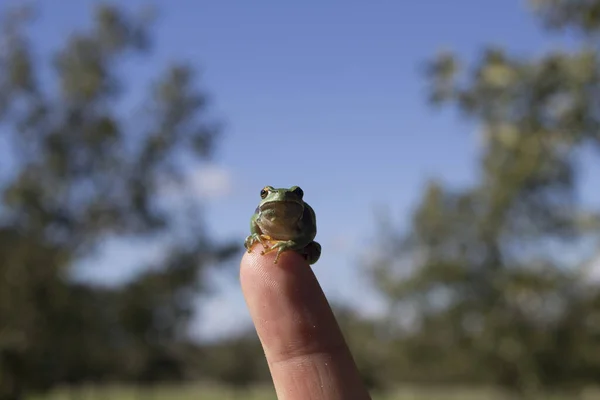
[208, 392]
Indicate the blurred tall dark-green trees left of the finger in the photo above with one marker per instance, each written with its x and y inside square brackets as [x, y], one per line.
[78, 167]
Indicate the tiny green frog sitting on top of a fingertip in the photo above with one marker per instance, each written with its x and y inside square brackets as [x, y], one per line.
[283, 221]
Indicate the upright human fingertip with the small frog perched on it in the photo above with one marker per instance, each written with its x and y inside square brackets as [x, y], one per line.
[306, 352]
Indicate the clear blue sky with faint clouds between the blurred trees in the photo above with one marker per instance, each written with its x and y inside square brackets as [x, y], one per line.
[326, 95]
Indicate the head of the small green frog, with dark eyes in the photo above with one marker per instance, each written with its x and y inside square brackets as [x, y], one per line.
[284, 205]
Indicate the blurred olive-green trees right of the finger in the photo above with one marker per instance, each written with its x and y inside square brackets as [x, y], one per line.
[482, 269]
